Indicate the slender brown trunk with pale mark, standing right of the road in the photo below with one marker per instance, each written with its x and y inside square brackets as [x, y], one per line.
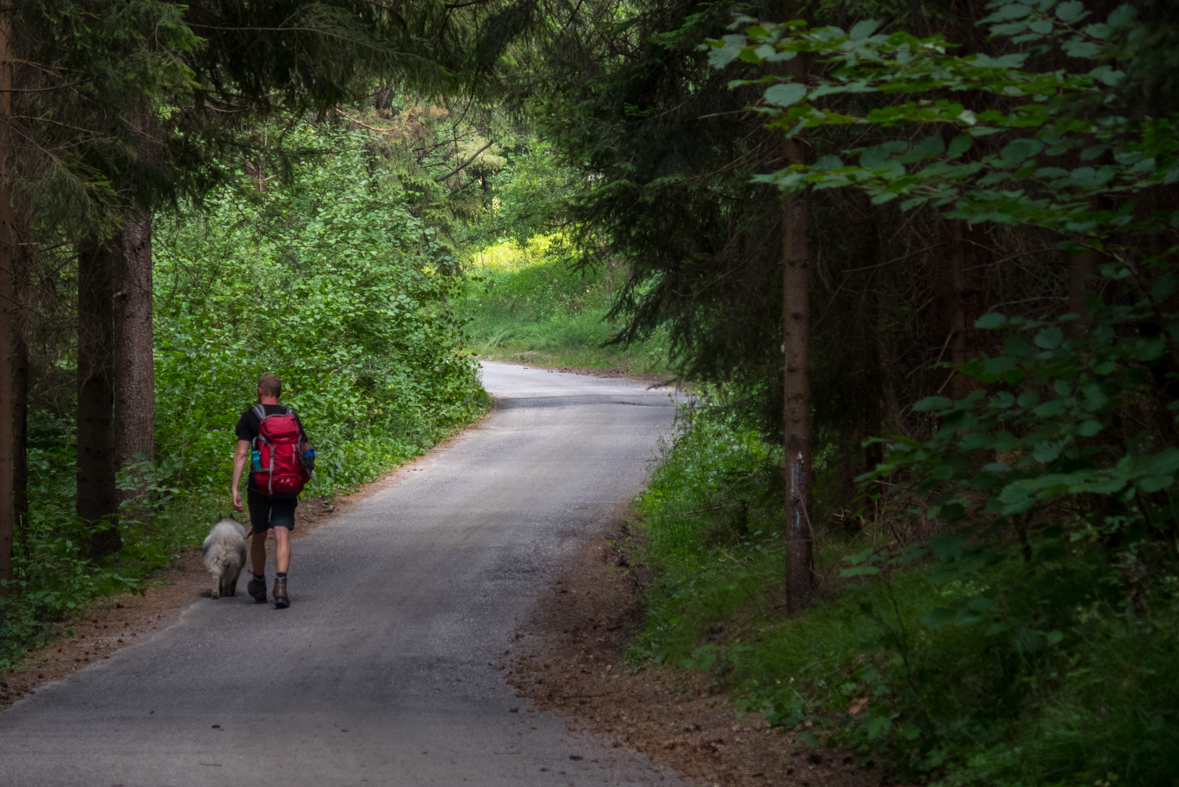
[798, 534]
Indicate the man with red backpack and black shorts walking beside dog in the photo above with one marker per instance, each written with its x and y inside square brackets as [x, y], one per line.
[272, 439]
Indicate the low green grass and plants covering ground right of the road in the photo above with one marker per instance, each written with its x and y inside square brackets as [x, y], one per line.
[1025, 672]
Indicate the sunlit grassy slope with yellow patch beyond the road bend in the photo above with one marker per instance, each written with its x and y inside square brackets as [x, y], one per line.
[529, 303]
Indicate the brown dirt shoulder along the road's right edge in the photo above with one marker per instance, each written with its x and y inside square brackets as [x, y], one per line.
[570, 660]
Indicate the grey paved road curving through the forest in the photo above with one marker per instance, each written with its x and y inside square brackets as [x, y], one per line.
[381, 671]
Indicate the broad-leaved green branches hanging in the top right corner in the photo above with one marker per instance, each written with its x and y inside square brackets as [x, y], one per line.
[1027, 177]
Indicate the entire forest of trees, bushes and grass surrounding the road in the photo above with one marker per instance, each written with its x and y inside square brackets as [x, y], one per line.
[914, 262]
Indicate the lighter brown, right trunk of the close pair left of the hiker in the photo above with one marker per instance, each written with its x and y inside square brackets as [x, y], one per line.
[135, 401]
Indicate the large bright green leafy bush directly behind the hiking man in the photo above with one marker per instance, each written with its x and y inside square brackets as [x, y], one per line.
[330, 281]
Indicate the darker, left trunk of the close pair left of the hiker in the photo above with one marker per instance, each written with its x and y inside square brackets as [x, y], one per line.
[97, 501]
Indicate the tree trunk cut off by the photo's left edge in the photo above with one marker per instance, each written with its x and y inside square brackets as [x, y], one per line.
[8, 302]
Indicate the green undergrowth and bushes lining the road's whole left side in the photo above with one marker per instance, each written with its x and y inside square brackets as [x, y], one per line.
[328, 279]
